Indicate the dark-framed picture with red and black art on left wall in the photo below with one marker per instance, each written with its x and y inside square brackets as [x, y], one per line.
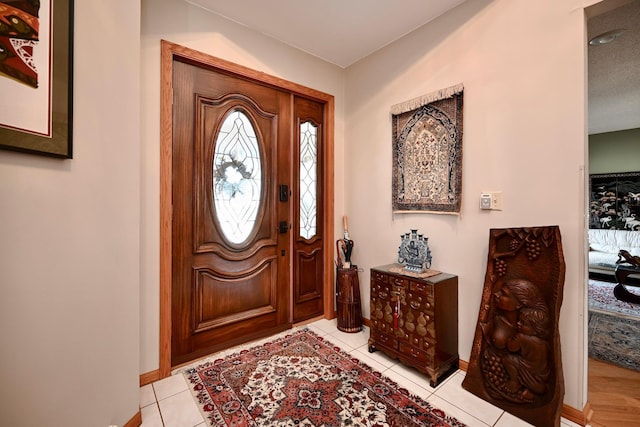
[36, 76]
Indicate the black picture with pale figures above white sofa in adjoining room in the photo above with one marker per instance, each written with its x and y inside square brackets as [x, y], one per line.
[615, 201]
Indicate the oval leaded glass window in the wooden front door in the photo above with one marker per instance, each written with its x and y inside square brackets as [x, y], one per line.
[237, 176]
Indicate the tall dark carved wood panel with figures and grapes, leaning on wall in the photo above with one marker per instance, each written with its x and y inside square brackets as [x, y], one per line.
[515, 360]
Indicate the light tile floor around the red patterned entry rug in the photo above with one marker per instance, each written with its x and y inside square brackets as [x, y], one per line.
[169, 403]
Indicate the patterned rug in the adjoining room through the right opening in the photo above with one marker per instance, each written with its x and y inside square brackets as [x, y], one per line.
[613, 327]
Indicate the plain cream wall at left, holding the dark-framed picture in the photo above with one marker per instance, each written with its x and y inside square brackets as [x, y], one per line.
[69, 245]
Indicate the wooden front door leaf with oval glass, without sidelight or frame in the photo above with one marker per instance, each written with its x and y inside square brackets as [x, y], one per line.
[231, 250]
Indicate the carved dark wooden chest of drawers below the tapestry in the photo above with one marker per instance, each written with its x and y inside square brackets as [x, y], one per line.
[415, 320]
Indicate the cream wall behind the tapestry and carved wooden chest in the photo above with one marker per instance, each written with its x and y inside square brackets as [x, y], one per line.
[522, 66]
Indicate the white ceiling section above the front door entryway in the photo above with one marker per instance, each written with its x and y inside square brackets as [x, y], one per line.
[338, 31]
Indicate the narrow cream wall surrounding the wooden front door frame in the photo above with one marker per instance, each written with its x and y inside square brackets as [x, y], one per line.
[178, 22]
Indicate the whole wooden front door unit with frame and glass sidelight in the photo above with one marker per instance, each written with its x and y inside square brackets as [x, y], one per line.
[246, 242]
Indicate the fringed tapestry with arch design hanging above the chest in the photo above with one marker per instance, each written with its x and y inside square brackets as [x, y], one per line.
[427, 153]
